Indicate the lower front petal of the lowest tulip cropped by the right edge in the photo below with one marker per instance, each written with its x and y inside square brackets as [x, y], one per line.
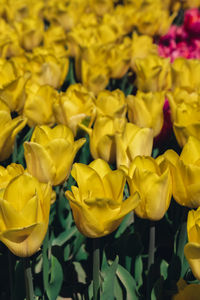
[192, 254]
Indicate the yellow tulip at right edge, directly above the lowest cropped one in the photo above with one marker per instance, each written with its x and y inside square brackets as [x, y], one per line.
[185, 172]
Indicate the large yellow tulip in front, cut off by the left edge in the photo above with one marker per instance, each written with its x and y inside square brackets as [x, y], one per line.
[24, 214]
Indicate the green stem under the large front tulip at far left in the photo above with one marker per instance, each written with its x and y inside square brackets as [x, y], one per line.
[28, 279]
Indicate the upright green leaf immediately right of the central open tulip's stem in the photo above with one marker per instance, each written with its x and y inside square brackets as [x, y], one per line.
[109, 280]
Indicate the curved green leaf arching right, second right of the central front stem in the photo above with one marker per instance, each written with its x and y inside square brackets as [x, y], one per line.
[128, 283]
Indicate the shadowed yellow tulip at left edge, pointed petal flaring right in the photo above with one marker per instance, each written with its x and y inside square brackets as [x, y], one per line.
[9, 128]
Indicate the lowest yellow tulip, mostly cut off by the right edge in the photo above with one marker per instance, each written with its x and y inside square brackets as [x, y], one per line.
[192, 248]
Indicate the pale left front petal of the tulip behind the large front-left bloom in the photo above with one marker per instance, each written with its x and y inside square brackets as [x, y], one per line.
[39, 162]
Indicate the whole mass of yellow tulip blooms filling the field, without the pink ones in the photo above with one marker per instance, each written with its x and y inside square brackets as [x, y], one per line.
[44, 44]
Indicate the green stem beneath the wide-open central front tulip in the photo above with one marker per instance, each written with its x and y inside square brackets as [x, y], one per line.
[96, 268]
